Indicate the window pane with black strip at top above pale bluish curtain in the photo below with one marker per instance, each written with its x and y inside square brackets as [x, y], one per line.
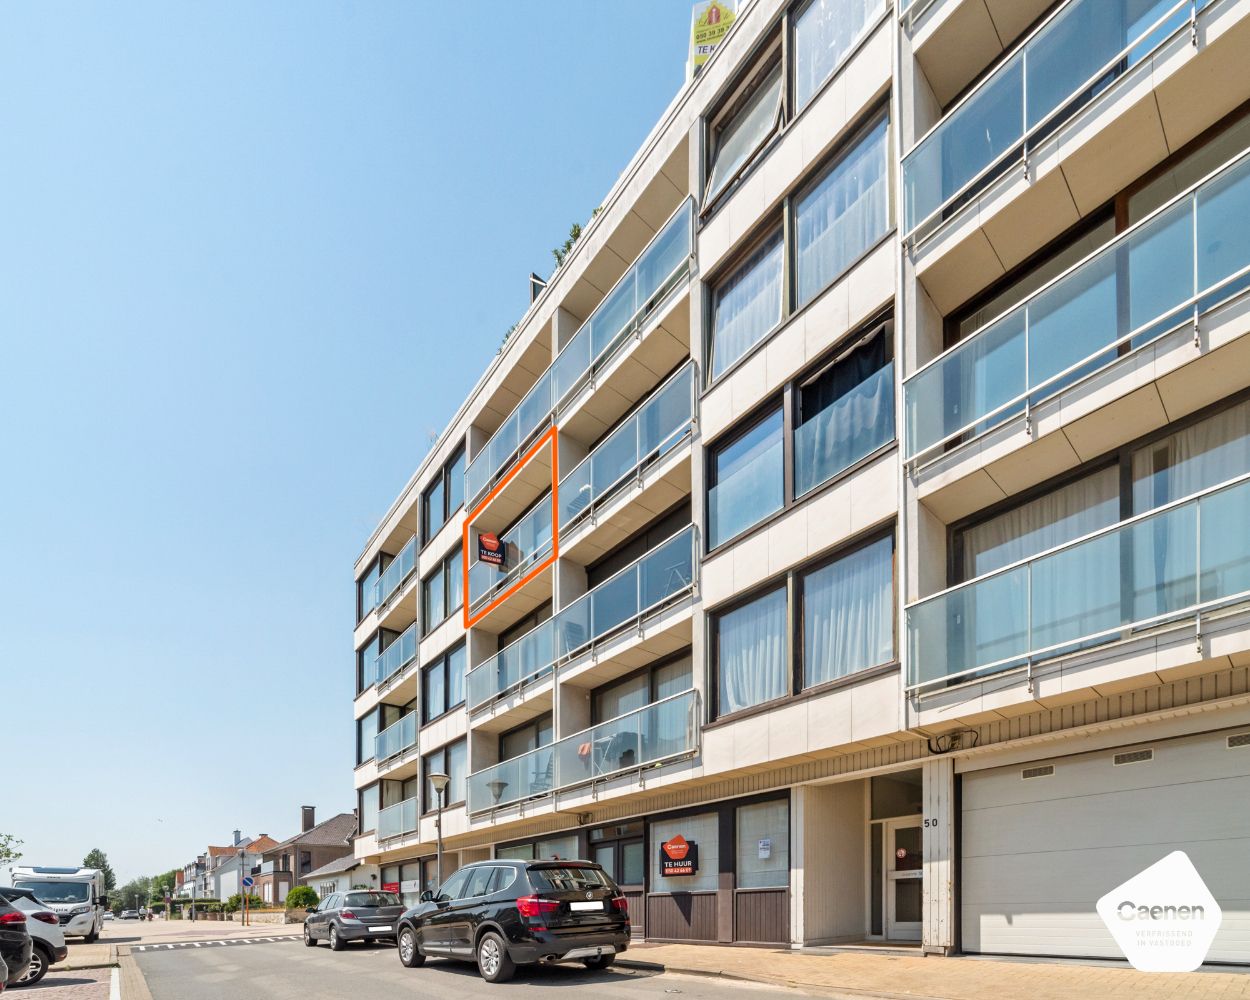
[844, 414]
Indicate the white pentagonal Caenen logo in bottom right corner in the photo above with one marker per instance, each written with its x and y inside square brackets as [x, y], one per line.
[1164, 919]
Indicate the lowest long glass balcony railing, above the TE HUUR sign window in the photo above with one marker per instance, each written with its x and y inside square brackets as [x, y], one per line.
[658, 732]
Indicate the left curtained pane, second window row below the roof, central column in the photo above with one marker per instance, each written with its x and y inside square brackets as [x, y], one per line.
[747, 306]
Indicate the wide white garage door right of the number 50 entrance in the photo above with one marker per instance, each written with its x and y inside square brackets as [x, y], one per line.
[1042, 843]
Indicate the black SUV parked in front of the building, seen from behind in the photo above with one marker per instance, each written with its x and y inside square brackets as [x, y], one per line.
[503, 914]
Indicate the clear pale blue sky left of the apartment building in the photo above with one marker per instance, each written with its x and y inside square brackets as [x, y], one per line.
[252, 256]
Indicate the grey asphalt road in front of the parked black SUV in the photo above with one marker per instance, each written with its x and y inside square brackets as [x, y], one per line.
[288, 971]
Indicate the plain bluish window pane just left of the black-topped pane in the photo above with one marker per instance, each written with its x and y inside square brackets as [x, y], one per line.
[749, 481]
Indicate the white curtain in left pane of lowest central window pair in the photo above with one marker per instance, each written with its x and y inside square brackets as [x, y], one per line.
[752, 653]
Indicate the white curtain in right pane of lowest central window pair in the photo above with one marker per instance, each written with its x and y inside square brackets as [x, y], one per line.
[848, 614]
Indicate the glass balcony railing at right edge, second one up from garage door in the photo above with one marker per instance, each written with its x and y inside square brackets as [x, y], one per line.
[1162, 274]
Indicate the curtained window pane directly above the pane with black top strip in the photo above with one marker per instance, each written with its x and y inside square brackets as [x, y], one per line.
[843, 214]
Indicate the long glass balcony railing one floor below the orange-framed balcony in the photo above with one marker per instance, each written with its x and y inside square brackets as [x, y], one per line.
[658, 577]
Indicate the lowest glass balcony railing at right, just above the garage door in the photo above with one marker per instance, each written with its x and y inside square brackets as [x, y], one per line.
[1172, 563]
